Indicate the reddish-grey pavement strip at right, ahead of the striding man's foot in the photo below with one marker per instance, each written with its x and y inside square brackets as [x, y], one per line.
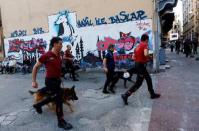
[178, 108]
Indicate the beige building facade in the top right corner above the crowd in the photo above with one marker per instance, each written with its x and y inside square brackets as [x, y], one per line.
[191, 19]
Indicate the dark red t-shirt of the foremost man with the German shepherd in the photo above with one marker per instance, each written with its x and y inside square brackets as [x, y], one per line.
[52, 63]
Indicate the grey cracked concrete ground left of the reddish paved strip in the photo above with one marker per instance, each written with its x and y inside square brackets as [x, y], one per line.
[94, 111]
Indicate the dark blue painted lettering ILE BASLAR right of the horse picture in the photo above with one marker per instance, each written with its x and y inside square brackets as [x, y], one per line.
[122, 17]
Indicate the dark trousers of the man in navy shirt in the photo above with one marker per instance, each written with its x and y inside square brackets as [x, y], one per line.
[109, 79]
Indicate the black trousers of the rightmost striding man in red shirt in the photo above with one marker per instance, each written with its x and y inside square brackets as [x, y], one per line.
[142, 74]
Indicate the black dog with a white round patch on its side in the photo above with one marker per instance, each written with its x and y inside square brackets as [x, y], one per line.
[125, 75]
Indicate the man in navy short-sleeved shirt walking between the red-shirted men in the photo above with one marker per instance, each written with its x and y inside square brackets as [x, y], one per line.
[109, 68]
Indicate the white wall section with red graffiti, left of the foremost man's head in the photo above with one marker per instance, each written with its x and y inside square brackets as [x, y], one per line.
[27, 46]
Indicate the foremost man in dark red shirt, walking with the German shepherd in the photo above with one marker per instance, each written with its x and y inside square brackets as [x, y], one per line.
[52, 62]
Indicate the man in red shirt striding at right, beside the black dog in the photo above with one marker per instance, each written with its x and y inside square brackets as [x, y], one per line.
[141, 57]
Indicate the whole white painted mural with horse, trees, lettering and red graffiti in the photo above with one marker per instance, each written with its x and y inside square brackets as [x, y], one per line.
[89, 38]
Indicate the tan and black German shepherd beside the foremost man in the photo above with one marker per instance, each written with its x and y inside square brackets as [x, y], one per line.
[68, 94]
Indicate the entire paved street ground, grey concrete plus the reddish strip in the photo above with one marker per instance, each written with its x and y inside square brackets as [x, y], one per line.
[176, 110]
